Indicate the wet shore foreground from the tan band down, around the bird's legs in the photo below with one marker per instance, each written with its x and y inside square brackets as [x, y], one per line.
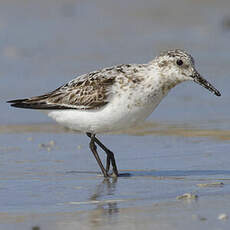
[49, 179]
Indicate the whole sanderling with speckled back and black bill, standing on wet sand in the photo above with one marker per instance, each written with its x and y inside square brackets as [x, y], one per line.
[115, 98]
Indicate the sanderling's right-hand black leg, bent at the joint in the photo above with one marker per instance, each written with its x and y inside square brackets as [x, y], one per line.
[110, 156]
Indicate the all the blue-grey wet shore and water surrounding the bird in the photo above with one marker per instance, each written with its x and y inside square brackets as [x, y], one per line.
[48, 177]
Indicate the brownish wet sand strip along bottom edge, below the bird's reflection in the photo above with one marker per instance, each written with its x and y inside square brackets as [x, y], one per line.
[166, 215]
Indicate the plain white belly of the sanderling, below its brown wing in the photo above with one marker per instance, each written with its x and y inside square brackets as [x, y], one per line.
[116, 115]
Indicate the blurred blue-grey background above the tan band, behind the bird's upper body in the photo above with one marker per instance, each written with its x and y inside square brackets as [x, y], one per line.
[46, 43]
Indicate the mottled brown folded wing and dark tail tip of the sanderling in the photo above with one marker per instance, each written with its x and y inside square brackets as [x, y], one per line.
[85, 92]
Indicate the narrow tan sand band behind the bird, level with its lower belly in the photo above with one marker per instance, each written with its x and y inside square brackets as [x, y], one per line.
[147, 128]
